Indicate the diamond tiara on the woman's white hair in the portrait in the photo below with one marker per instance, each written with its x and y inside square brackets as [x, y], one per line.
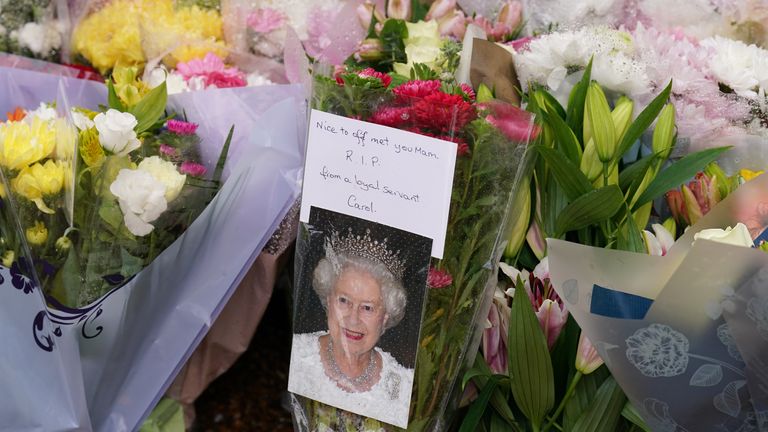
[366, 247]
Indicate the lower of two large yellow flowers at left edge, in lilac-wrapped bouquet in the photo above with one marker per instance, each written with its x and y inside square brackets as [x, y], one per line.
[38, 181]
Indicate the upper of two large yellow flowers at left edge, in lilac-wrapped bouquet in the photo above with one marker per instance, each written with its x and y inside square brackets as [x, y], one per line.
[23, 144]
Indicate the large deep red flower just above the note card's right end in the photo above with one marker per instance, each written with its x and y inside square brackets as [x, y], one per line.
[443, 112]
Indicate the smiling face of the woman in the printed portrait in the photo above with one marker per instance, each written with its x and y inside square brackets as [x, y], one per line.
[356, 312]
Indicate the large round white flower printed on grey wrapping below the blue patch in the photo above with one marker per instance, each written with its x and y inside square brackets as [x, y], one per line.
[658, 351]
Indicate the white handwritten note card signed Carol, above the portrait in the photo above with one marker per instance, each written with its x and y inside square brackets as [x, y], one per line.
[381, 174]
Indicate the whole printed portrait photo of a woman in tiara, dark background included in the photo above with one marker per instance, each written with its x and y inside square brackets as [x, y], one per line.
[359, 302]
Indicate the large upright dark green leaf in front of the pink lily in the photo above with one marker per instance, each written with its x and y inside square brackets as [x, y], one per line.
[530, 366]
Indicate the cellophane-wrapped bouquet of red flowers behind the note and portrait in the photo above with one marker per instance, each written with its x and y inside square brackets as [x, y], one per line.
[490, 140]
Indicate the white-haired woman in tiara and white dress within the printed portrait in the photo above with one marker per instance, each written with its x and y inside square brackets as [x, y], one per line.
[359, 282]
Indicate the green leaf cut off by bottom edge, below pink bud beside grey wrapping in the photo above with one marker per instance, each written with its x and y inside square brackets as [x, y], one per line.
[604, 412]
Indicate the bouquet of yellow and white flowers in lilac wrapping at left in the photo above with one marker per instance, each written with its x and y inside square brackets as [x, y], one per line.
[122, 234]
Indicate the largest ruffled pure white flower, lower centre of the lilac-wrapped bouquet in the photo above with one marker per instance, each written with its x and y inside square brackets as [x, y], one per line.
[141, 198]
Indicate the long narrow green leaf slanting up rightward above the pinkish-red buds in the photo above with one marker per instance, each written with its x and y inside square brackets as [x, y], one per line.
[677, 173]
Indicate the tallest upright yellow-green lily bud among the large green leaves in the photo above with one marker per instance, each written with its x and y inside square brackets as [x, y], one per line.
[598, 122]
